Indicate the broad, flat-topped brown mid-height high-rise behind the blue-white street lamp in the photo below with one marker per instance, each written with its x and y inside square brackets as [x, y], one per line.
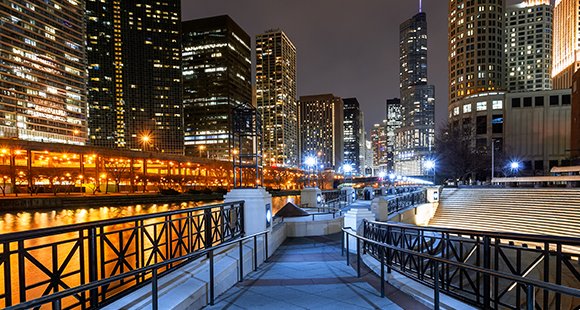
[321, 129]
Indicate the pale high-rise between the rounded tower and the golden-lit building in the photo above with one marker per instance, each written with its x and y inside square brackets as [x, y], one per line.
[529, 34]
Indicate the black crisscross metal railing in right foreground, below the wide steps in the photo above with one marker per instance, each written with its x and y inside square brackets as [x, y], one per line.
[486, 269]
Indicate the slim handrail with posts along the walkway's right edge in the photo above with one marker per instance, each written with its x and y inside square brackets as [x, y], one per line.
[529, 283]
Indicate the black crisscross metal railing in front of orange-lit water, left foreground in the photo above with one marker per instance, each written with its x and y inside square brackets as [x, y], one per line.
[47, 261]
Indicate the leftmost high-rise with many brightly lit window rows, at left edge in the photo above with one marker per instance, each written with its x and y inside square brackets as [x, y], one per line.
[43, 71]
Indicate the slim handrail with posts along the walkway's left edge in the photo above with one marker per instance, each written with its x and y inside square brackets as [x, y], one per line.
[56, 297]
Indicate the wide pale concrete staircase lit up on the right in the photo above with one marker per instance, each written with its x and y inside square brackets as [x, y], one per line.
[530, 211]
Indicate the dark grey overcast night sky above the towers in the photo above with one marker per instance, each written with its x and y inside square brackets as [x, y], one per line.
[348, 48]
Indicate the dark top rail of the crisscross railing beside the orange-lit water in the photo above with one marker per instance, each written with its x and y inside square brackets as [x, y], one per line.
[22, 235]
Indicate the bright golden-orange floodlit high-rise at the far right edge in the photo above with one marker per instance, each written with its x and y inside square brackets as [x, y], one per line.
[566, 42]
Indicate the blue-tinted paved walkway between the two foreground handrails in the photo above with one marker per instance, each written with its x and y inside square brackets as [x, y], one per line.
[310, 273]
